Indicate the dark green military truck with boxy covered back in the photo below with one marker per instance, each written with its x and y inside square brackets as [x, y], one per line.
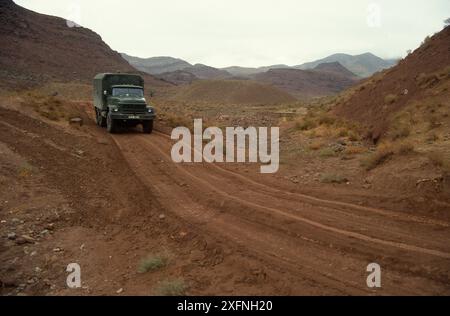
[119, 101]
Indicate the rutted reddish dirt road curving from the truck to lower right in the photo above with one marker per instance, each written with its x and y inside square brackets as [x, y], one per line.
[324, 245]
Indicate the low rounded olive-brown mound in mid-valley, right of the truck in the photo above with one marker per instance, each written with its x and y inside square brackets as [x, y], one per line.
[232, 92]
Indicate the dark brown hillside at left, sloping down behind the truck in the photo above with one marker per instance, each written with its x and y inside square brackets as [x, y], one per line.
[38, 48]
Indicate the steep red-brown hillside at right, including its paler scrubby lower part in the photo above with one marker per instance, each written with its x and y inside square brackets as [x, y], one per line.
[421, 79]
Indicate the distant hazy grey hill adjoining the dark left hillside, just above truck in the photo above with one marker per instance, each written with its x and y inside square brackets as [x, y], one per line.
[156, 65]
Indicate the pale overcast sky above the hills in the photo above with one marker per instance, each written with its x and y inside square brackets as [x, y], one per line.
[254, 32]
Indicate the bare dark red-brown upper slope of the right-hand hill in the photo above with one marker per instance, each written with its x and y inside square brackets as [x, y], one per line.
[386, 93]
